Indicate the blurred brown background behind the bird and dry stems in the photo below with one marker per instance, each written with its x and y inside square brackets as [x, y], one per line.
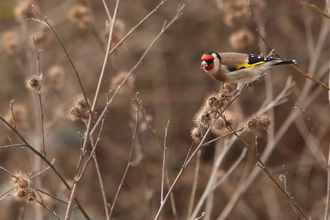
[172, 87]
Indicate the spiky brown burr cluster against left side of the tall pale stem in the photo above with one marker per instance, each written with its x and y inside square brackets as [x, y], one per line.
[80, 110]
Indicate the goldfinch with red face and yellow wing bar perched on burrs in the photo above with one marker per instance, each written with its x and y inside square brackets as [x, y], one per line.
[238, 68]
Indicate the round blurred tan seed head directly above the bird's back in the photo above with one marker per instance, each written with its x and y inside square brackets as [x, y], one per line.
[241, 39]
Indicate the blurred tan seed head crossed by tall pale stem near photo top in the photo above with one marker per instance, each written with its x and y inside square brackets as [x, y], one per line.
[118, 32]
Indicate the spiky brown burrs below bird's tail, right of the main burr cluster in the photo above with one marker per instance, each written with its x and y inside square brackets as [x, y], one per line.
[258, 122]
